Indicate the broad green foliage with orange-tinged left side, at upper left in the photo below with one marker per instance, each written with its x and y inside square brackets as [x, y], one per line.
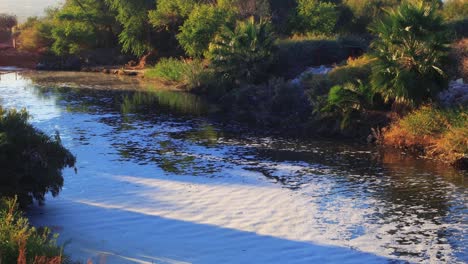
[79, 25]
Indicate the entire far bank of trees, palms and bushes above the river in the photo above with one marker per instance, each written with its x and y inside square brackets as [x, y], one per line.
[253, 58]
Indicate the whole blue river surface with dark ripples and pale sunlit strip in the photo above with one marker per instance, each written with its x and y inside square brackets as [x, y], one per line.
[159, 182]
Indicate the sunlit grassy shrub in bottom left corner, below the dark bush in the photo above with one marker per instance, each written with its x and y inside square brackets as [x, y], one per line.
[21, 243]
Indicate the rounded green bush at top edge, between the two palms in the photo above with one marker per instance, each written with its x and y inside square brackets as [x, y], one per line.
[314, 17]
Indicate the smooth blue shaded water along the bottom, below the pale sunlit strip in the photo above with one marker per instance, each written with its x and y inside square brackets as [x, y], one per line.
[173, 239]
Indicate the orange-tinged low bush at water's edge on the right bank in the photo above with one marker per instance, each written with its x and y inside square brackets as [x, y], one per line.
[438, 132]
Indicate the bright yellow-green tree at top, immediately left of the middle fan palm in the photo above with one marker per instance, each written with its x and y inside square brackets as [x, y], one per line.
[203, 23]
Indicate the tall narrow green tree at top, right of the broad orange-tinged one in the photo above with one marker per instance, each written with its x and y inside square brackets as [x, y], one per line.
[136, 35]
